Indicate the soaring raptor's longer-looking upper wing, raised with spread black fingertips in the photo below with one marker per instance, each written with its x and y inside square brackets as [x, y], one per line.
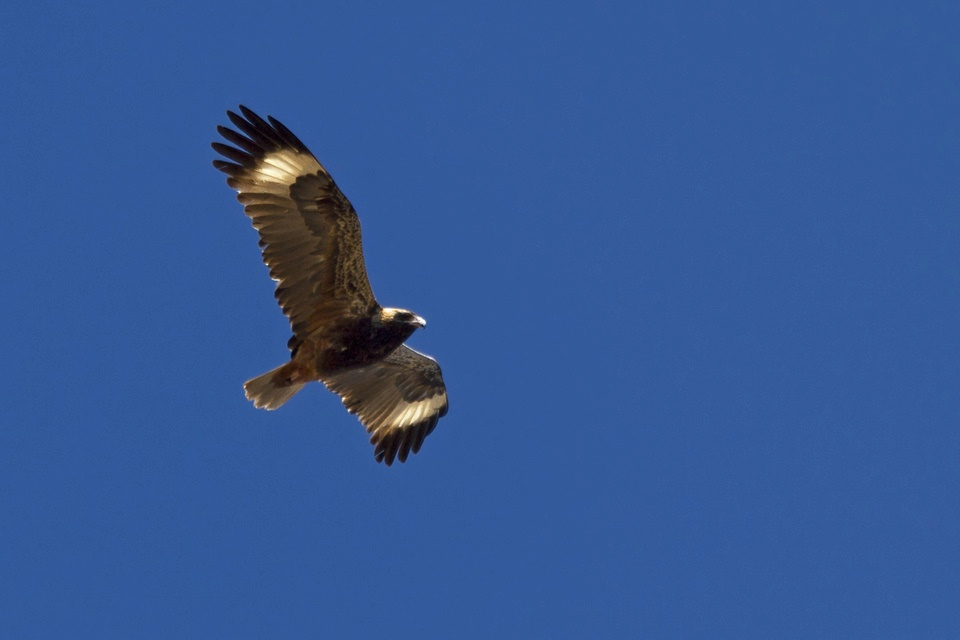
[309, 231]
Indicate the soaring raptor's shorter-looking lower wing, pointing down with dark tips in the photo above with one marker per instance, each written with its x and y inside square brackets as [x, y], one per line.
[399, 401]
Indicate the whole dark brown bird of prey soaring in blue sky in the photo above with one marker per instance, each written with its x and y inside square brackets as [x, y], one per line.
[342, 337]
